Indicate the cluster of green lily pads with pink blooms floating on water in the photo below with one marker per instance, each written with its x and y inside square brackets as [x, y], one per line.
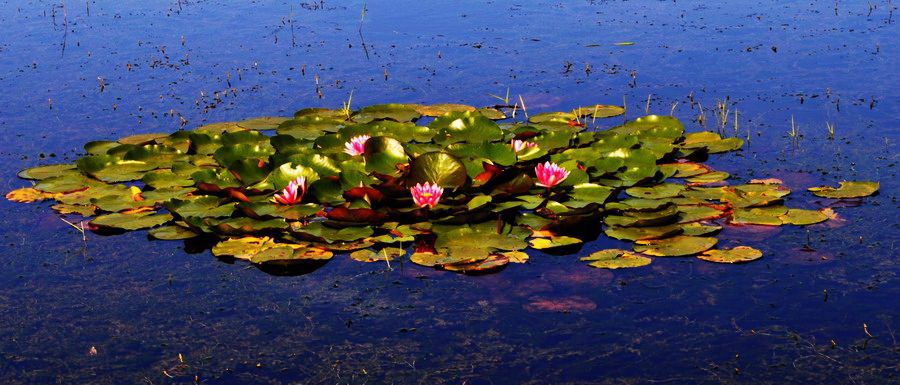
[456, 187]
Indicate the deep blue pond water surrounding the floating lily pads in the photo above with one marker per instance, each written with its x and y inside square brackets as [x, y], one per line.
[168, 312]
